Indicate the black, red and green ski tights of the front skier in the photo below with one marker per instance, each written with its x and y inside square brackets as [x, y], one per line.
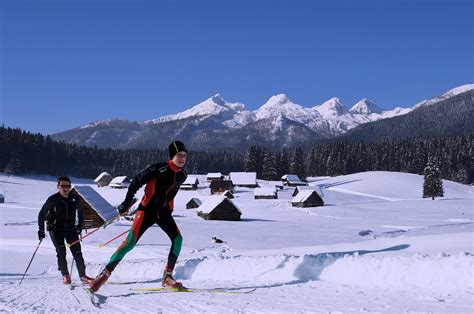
[143, 221]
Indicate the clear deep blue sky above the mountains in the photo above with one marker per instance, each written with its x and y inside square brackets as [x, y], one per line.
[67, 63]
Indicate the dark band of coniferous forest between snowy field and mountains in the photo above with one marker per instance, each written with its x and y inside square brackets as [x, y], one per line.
[26, 153]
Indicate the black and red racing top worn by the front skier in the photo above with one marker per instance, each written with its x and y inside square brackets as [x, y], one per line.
[162, 183]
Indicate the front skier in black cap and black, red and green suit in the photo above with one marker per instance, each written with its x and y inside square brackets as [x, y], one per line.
[162, 183]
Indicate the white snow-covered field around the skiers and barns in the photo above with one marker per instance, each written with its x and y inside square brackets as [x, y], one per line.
[416, 254]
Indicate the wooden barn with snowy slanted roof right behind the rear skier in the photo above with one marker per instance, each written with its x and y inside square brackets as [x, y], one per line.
[96, 209]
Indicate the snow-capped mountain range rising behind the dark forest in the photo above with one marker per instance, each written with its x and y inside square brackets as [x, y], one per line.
[216, 122]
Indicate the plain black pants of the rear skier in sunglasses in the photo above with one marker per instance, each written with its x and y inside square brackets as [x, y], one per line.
[58, 236]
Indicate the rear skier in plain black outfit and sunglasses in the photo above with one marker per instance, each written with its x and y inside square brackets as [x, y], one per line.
[59, 211]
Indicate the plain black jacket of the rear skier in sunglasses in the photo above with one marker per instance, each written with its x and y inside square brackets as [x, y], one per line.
[60, 213]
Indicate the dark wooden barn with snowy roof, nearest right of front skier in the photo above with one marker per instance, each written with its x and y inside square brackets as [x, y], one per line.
[219, 208]
